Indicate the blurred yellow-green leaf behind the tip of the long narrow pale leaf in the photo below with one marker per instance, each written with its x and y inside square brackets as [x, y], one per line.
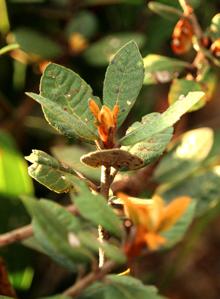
[182, 87]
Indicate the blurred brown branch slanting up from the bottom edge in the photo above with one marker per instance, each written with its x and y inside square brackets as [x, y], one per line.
[78, 287]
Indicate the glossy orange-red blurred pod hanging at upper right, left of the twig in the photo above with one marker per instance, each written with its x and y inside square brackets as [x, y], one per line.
[182, 37]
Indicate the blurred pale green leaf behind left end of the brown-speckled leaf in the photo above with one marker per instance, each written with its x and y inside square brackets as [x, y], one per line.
[70, 155]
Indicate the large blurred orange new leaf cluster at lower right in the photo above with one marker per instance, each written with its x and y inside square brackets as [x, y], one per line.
[151, 218]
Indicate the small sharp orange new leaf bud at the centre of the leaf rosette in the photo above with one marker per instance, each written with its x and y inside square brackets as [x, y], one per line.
[106, 122]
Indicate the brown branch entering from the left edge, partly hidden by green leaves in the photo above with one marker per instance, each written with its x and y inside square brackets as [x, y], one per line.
[24, 232]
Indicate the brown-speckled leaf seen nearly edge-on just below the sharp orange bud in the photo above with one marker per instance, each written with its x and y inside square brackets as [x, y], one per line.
[116, 158]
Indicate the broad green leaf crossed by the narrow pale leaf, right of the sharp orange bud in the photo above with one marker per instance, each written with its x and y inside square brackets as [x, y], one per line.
[150, 149]
